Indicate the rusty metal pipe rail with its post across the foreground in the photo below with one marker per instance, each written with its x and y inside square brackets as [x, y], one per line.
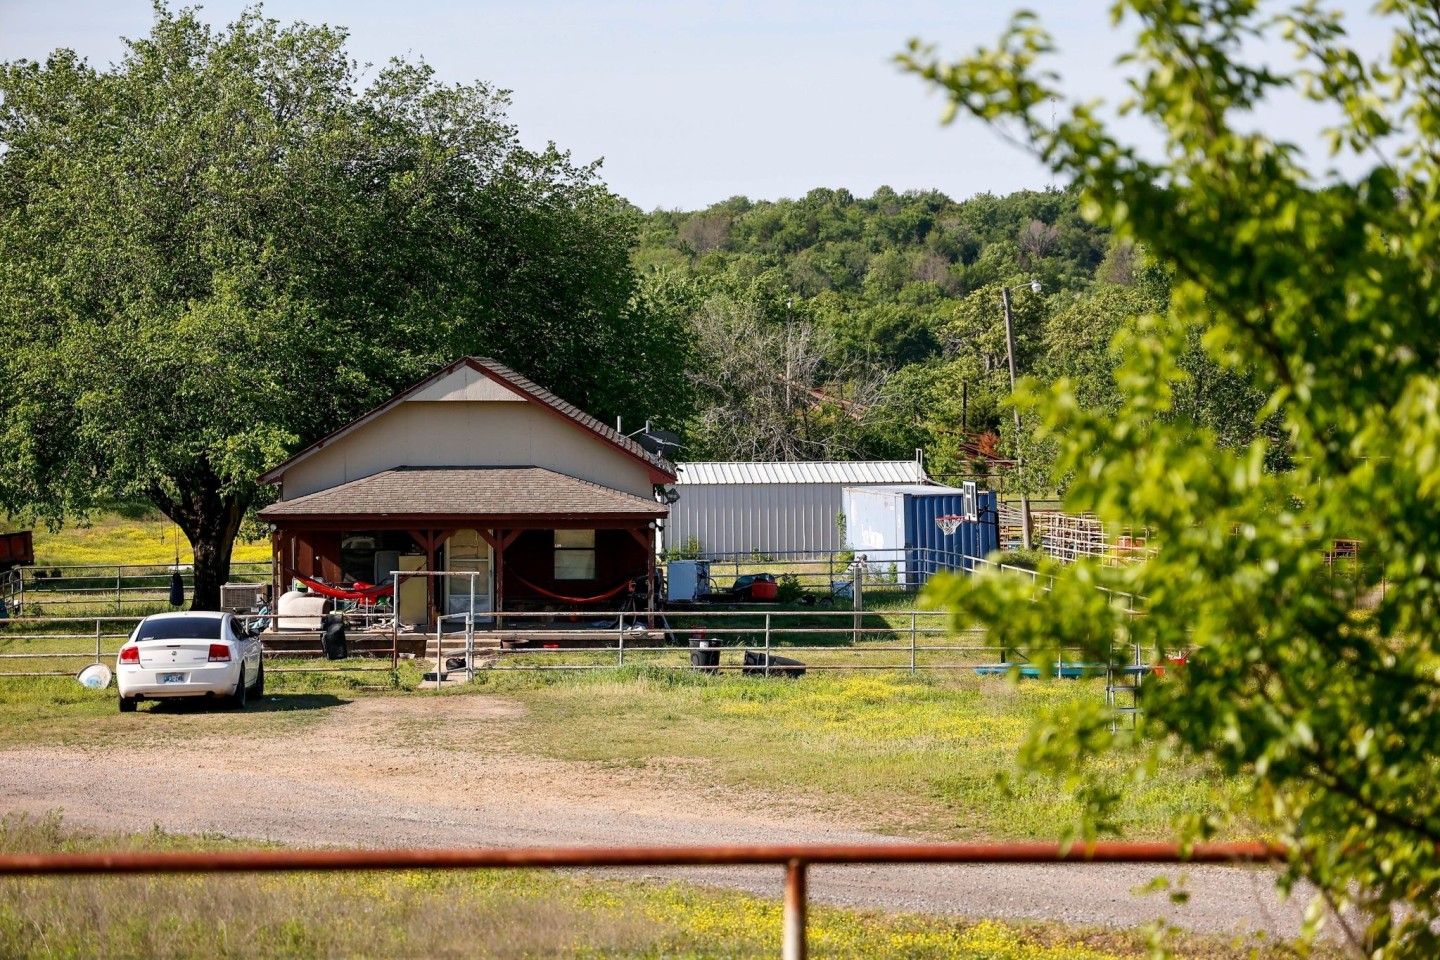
[794, 859]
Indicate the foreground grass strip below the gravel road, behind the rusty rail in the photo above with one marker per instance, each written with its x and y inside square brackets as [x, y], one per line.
[472, 915]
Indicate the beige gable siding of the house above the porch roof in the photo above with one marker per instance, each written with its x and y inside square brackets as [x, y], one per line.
[456, 433]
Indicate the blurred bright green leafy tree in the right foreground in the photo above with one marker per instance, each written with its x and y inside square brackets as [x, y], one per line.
[1321, 291]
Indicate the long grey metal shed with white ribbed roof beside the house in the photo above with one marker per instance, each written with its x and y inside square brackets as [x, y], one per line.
[774, 509]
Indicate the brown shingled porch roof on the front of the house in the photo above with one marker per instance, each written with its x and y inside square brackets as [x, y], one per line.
[469, 492]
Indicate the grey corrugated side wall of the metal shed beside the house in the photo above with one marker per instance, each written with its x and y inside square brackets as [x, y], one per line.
[742, 519]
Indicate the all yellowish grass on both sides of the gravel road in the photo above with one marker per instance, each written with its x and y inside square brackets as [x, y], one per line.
[918, 755]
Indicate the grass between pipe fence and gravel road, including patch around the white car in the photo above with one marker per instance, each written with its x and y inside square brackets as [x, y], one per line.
[915, 755]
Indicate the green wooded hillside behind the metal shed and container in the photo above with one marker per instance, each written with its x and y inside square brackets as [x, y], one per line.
[839, 327]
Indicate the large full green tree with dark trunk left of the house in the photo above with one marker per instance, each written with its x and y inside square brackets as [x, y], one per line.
[220, 250]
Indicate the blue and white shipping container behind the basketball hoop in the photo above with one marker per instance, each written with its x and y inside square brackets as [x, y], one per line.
[898, 532]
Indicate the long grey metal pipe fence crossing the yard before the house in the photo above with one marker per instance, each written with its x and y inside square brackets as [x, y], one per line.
[909, 641]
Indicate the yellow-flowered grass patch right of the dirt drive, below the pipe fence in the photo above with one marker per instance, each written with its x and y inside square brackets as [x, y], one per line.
[919, 753]
